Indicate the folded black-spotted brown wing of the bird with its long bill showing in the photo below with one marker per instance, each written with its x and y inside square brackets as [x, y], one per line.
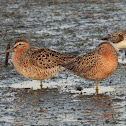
[46, 58]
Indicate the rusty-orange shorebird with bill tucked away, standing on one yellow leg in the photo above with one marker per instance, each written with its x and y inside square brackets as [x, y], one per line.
[96, 65]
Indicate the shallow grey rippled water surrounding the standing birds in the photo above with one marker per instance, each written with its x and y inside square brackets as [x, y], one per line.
[66, 99]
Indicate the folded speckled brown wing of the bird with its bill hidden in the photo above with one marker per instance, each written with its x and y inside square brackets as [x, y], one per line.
[82, 64]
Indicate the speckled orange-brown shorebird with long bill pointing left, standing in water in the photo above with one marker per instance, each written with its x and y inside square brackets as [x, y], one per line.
[36, 63]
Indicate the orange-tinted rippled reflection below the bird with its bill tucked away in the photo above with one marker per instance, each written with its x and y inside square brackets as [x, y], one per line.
[100, 110]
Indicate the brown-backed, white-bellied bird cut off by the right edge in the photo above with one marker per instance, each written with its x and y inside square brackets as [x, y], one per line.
[117, 39]
